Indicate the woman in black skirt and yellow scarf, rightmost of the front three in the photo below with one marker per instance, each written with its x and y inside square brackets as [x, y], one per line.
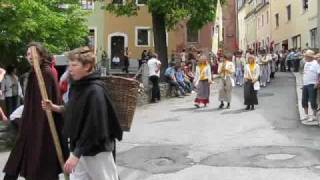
[251, 76]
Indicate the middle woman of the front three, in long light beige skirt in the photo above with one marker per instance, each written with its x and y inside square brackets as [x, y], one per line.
[226, 70]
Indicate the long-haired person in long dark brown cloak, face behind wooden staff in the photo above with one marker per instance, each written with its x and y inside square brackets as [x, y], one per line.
[34, 156]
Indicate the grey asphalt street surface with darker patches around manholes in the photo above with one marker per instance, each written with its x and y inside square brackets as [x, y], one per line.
[172, 140]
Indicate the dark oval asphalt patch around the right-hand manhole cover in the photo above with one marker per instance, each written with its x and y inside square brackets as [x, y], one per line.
[266, 157]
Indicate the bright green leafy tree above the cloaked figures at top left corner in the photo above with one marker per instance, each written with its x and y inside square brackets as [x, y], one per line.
[59, 24]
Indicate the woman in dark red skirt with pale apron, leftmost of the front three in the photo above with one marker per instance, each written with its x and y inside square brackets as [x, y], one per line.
[202, 81]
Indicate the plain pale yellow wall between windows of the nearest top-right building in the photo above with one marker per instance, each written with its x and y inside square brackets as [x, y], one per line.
[300, 24]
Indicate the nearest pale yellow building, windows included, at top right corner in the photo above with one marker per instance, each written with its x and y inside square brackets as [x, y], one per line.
[294, 23]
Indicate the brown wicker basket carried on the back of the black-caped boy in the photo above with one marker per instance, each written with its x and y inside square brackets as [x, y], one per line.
[124, 93]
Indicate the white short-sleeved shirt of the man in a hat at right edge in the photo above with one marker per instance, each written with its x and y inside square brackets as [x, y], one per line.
[311, 72]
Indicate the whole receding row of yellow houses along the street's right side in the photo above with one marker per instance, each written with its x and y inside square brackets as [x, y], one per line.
[284, 24]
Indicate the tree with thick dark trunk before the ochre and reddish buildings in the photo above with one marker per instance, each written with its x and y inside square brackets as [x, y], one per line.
[166, 14]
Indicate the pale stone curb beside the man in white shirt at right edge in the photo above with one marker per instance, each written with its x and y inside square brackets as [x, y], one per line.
[299, 85]
